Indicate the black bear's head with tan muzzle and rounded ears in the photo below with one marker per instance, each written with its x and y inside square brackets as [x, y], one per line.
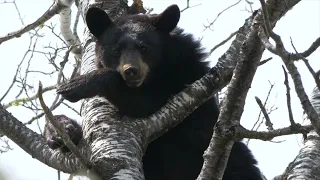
[132, 45]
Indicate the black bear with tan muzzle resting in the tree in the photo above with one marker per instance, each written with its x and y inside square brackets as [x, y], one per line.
[142, 61]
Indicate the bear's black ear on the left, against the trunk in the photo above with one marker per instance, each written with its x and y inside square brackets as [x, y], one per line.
[97, 21]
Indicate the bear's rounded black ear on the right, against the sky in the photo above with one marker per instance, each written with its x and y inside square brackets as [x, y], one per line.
[168, 19]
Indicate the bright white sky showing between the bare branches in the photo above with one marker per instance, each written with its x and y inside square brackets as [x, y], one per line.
[302, 24]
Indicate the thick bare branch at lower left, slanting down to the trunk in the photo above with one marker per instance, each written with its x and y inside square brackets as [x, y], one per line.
[35, 145]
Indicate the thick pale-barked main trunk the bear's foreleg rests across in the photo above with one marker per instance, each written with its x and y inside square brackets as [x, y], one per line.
[116, 146]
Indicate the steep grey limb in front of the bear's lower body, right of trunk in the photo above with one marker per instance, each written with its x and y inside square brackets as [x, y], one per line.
[216, 156]
